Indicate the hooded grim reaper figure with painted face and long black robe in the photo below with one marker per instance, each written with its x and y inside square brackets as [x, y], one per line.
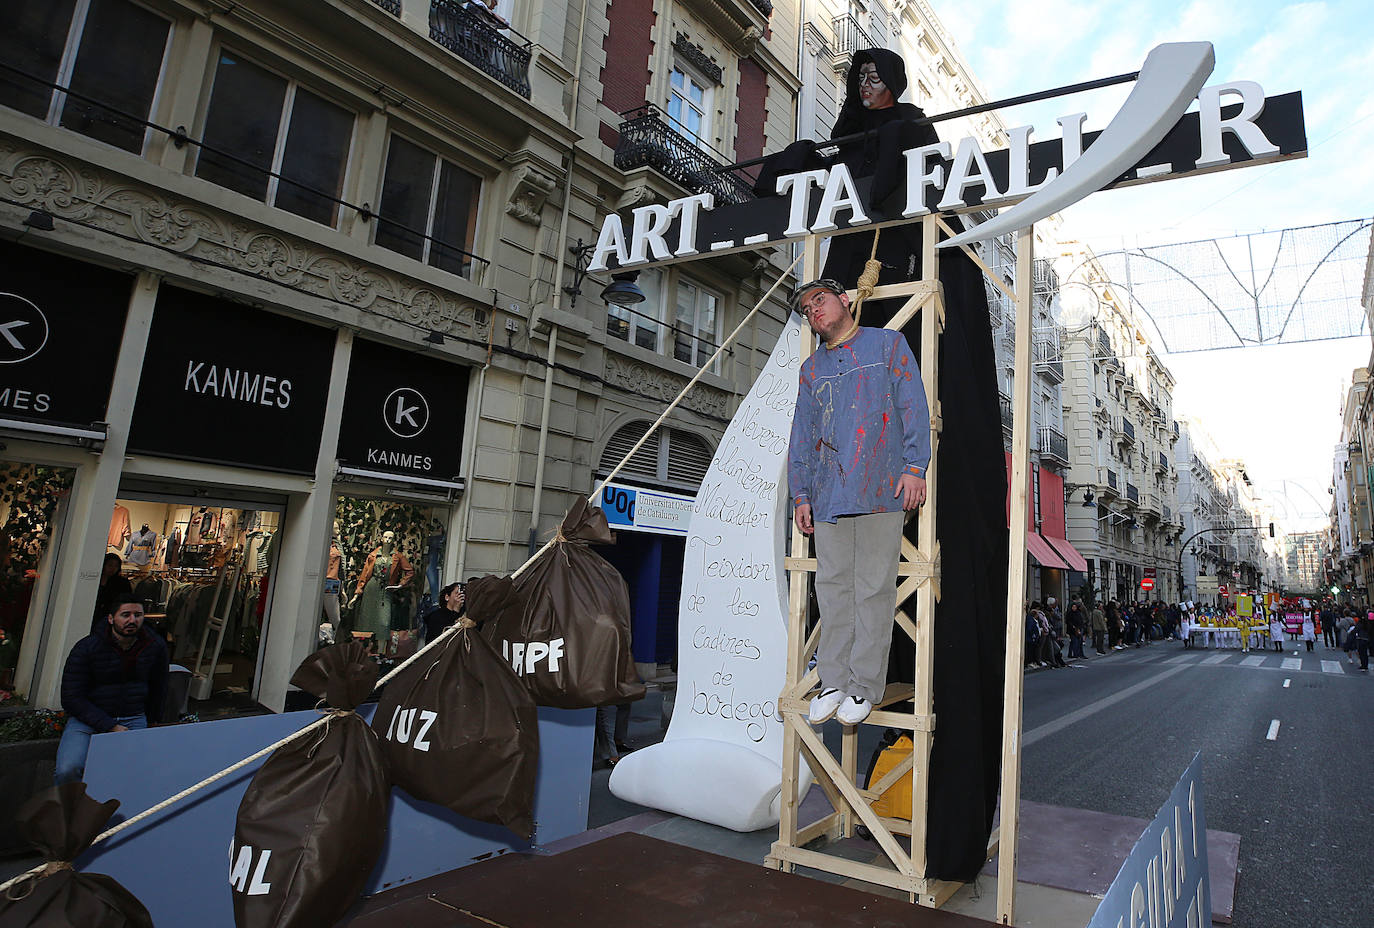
[971, 485]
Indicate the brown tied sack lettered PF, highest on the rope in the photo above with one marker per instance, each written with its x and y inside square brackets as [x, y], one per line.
[567, 629]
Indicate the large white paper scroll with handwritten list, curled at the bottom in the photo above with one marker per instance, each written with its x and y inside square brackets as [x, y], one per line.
[722, 758]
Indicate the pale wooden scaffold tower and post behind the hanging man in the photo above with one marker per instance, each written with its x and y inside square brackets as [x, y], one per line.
[919, 585]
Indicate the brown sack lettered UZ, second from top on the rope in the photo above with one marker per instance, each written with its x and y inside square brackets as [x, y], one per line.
[458, 729]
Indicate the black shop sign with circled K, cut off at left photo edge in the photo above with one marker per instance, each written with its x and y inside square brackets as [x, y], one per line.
[61, 325]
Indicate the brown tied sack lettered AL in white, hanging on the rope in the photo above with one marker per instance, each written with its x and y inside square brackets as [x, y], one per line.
[313, 821]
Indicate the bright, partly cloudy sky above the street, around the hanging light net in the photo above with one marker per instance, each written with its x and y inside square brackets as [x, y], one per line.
[1276, 408]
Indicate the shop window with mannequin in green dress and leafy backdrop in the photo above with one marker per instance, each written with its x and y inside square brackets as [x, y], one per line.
[384, 571]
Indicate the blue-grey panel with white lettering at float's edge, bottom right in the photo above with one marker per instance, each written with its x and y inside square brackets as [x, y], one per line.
[1164, 882]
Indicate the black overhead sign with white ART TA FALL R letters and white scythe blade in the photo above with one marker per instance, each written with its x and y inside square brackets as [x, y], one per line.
[1151, 138]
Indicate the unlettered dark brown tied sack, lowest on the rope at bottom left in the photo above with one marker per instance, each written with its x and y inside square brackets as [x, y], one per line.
[63, 821]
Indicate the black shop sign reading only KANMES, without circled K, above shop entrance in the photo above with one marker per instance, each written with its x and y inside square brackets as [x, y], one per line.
[227, 384]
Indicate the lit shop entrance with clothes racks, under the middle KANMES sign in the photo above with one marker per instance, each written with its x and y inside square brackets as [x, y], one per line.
[192, 564]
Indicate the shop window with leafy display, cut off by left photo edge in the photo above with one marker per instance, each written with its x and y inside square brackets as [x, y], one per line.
[30, 497]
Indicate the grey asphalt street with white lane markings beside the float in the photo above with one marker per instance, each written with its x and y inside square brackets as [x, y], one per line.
[1300, 802]
